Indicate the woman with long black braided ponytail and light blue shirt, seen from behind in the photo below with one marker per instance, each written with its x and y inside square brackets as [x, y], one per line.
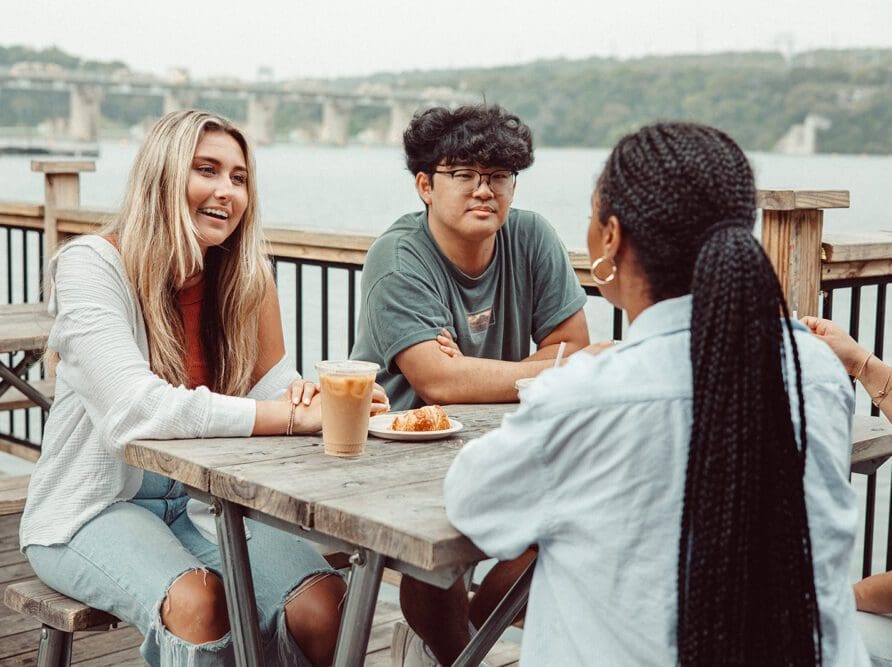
[690, 495]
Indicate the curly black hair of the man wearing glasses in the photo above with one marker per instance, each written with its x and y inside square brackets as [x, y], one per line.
[482, 134]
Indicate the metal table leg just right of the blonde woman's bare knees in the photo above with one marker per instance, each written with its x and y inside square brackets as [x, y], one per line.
[362, 594]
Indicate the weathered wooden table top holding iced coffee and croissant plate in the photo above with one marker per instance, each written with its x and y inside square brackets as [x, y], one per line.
[389, 500]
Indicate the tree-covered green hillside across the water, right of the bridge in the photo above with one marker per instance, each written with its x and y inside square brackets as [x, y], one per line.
[755, 97]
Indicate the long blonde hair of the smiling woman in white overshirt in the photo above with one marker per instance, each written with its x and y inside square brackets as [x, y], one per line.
[158, 242]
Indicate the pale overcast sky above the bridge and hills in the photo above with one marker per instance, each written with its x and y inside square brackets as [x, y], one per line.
[342, 37]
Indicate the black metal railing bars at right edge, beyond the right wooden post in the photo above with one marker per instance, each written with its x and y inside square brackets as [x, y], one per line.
[849, 292]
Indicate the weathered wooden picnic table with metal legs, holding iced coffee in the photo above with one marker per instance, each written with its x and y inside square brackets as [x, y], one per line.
[385, 508]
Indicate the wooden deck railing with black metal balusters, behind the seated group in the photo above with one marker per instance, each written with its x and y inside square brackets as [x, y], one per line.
[819, 273]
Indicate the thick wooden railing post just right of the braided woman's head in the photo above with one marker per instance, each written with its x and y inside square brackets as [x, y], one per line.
[792, 225]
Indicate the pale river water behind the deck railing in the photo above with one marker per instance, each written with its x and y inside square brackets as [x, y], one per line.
[364, 189]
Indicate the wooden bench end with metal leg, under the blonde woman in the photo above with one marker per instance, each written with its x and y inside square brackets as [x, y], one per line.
[59, 615]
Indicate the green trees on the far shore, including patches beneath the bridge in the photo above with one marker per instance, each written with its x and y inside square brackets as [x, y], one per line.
[755, 97]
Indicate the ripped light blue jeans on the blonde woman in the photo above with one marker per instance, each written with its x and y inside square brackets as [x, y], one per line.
[124, 560]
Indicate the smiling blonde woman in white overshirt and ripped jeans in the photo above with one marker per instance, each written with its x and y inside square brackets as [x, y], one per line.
[167, 325]
